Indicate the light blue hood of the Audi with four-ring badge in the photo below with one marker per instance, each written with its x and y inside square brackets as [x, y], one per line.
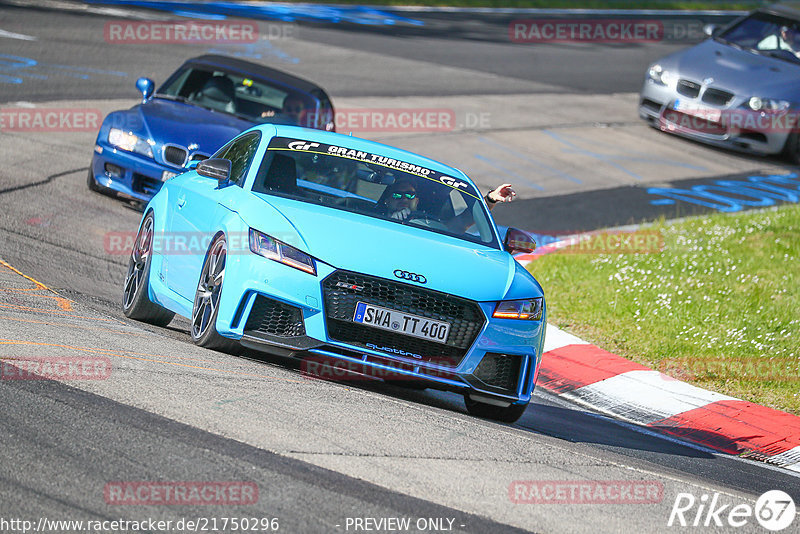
[394, 251]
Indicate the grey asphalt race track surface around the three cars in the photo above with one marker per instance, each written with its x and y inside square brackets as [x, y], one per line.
[323, 454]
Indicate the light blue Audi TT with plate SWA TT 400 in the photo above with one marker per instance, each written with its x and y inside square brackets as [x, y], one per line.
[350, 255]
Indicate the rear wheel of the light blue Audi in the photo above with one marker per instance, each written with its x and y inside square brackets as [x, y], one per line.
[136, 303]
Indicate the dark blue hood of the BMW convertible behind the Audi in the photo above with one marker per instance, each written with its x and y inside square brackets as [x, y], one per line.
[184, 124]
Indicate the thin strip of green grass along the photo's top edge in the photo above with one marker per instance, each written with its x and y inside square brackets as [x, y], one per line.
[571, 4]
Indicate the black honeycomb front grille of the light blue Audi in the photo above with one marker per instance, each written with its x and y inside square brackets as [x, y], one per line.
[465, 317]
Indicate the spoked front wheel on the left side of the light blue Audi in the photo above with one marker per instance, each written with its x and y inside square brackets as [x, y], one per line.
[206, 300]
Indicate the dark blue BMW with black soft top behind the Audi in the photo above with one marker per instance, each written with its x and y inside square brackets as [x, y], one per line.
[206, 102]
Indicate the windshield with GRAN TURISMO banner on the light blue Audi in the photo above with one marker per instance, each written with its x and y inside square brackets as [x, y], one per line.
[376, 186]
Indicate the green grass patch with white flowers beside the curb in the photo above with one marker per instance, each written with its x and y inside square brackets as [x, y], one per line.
[719, 307]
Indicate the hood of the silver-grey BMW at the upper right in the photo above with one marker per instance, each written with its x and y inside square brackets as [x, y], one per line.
[744, 73]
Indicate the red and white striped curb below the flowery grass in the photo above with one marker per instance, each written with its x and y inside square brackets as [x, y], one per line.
[610, 384]
